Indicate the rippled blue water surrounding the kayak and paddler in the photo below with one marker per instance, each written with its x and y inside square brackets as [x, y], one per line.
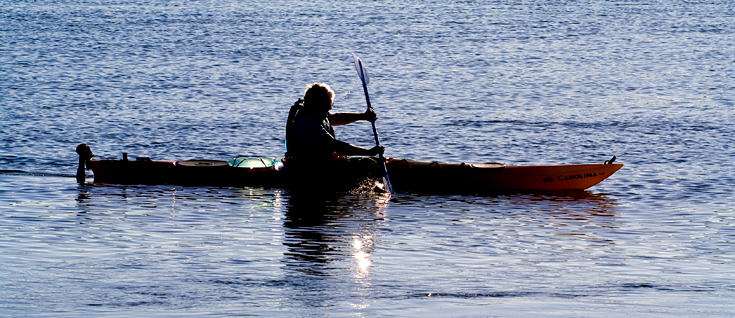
[520, 82]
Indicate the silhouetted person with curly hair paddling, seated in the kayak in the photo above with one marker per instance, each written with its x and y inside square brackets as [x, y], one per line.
[309, 134]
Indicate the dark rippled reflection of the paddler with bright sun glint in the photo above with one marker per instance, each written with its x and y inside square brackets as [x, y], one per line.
[323, 229]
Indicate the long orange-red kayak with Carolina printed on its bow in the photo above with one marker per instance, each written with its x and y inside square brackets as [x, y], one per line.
[405, 174]
